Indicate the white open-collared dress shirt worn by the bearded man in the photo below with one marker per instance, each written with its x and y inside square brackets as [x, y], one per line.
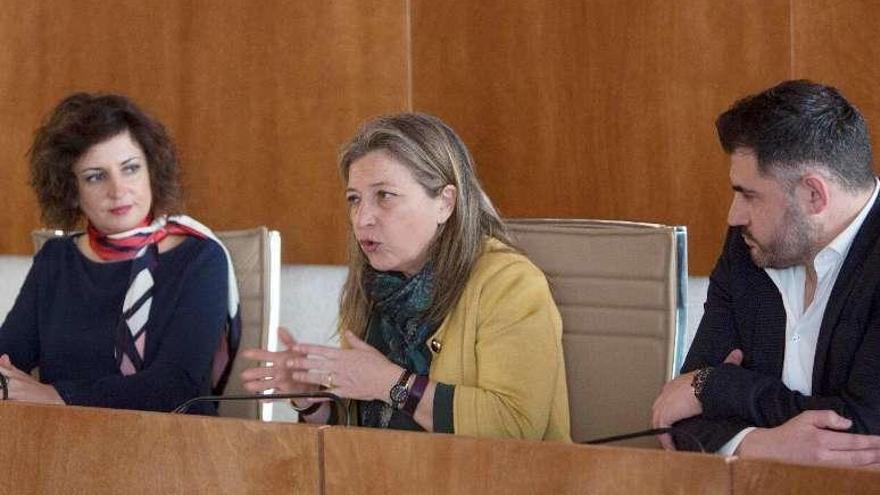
[802, 324]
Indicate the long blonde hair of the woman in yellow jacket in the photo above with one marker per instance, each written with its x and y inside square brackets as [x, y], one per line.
[437, 157]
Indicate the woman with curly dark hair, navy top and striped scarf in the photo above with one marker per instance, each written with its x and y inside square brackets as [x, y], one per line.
[139, 311]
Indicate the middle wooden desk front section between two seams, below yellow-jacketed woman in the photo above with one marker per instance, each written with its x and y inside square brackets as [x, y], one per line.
[359, 460]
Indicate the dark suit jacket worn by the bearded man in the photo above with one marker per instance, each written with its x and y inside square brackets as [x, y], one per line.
[744, 310]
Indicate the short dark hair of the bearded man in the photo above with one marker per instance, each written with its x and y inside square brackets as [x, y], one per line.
[797, 124]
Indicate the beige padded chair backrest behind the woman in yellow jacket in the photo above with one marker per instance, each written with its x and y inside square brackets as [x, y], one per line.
[620, 288]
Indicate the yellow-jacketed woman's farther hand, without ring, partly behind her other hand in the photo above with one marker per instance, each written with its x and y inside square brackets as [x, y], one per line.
[278, 374]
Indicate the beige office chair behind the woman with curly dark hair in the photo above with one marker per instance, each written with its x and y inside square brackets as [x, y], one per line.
[256, 258]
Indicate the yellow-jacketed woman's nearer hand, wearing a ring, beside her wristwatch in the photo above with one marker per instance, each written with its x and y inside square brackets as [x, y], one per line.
[360, 372]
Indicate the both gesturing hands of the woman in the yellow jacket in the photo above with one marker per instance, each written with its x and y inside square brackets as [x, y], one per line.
[358, 372]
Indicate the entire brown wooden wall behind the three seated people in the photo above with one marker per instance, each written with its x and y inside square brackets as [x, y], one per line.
[577, 108]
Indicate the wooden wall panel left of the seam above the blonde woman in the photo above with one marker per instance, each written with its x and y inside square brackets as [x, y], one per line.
[259, 96]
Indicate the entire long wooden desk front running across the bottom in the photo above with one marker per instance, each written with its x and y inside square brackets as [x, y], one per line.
[58, 449]
